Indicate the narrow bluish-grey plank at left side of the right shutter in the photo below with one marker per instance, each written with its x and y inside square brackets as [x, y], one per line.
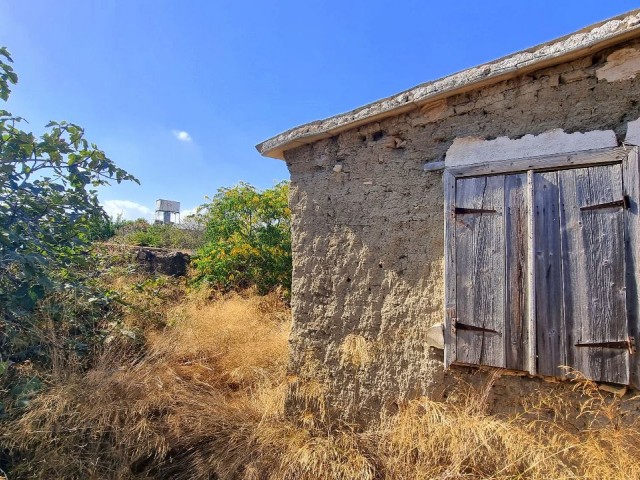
[550, 331]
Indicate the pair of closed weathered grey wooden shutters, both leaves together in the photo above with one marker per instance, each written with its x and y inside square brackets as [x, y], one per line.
[540, 273]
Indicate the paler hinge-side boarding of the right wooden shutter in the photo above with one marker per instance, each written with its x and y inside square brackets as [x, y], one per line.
[593, 271]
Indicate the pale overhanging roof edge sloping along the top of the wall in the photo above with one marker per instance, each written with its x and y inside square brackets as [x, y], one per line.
[595, 37]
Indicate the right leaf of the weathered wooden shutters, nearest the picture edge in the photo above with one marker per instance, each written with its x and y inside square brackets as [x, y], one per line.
[581, 317]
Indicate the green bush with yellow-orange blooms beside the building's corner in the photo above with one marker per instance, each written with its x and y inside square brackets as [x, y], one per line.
[248, 236]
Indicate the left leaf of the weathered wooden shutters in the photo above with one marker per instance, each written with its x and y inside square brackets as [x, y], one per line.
[491, 256]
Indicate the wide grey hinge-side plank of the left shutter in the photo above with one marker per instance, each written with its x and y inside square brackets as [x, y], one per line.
[480, 267]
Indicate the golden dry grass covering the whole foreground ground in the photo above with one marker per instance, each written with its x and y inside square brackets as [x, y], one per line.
[205, 399]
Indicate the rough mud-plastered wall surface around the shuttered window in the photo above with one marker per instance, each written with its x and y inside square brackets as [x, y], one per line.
[368, 233]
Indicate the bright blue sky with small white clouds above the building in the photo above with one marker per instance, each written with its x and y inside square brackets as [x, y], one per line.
[179, 92]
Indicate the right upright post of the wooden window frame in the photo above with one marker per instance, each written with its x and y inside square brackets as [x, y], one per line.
[631, 188]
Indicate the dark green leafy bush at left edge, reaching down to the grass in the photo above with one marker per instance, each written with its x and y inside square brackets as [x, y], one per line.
[50, 304]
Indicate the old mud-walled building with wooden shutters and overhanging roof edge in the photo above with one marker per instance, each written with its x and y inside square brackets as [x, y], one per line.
[498, 205]
